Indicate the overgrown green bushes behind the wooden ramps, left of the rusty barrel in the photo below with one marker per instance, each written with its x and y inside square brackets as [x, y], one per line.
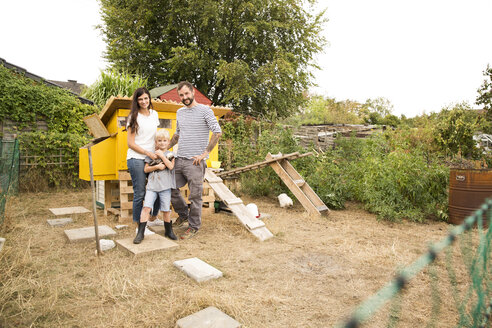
[393, 175]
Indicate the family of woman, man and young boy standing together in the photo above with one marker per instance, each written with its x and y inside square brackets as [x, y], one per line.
[156, 173]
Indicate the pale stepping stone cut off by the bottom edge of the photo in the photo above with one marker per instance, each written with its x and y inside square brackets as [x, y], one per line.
[210, 317]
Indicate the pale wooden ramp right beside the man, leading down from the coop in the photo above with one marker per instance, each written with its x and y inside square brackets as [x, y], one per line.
[235, 204]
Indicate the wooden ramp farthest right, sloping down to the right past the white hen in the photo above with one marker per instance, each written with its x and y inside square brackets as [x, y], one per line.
[296, 184]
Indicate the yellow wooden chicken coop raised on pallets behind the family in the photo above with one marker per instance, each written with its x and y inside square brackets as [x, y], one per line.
[109, 156]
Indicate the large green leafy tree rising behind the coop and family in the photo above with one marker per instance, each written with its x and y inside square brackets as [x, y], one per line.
[254, 54]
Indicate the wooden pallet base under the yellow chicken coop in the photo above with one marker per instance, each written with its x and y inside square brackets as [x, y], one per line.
[124, 195]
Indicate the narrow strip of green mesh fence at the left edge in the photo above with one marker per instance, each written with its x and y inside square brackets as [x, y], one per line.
[9, 172]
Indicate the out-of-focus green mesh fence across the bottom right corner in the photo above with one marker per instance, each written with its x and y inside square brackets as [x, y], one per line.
[468, 246]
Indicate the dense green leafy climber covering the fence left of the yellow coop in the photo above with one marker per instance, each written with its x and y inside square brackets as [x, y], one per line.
[25, 102]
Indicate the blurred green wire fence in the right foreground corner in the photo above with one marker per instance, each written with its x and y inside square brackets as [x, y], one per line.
[473, 306]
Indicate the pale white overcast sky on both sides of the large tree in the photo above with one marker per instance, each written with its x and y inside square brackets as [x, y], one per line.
[420, 55]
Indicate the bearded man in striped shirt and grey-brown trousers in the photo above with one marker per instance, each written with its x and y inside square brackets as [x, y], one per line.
[193, 124]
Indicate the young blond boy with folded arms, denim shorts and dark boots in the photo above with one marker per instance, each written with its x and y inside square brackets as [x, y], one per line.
[160, 182]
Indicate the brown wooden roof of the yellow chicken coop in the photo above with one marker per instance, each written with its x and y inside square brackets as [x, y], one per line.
[115, 103]
